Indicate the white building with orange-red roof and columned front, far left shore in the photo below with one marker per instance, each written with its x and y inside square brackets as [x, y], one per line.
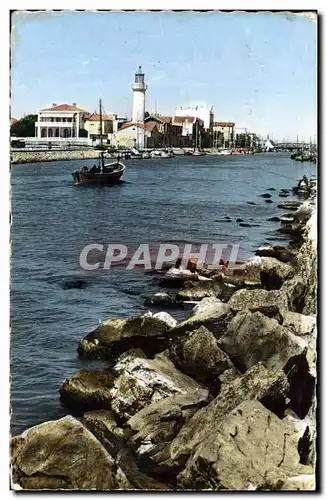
[63, 120]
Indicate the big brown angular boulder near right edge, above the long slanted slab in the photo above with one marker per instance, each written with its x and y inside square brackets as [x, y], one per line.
[253, 337]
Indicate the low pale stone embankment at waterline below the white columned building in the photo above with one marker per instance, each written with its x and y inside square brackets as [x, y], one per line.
[42, 156]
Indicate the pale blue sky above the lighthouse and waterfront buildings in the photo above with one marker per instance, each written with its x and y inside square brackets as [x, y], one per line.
[258, 70]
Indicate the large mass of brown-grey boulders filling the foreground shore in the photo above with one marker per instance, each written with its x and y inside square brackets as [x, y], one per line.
[224, 400]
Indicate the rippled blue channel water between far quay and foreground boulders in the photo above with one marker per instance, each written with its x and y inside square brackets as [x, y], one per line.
[174, 200]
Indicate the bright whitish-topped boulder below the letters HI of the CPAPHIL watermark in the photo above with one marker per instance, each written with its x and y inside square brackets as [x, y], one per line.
[211, 313]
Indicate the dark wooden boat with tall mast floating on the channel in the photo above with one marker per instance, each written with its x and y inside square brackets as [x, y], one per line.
[103, 173]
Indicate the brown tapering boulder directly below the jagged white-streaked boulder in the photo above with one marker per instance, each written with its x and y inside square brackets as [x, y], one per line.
[156, 425]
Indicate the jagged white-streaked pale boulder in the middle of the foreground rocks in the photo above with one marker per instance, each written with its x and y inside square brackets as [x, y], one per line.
[142, 381]
